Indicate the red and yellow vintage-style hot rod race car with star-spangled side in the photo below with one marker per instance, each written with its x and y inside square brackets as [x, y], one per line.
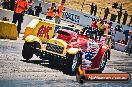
[73, 51]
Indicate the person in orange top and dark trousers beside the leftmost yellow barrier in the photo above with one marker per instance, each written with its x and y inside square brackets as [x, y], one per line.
[20, 7]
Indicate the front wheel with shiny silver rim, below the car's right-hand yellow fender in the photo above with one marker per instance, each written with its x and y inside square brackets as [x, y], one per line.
[73, 63]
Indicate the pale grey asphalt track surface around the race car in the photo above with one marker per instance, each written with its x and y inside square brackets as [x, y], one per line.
[16, 72]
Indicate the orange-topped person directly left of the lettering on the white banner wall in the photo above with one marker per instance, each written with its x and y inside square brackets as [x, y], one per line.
[59, 13]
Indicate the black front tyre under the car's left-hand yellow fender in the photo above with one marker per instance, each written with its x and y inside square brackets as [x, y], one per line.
[27, 51]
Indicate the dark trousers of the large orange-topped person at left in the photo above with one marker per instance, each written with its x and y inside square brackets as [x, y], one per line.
[18, 17]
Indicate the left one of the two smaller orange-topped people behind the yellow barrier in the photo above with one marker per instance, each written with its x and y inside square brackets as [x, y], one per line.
[50, 12]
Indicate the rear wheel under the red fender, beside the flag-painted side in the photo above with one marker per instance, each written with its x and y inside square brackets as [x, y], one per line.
[103, 62]
